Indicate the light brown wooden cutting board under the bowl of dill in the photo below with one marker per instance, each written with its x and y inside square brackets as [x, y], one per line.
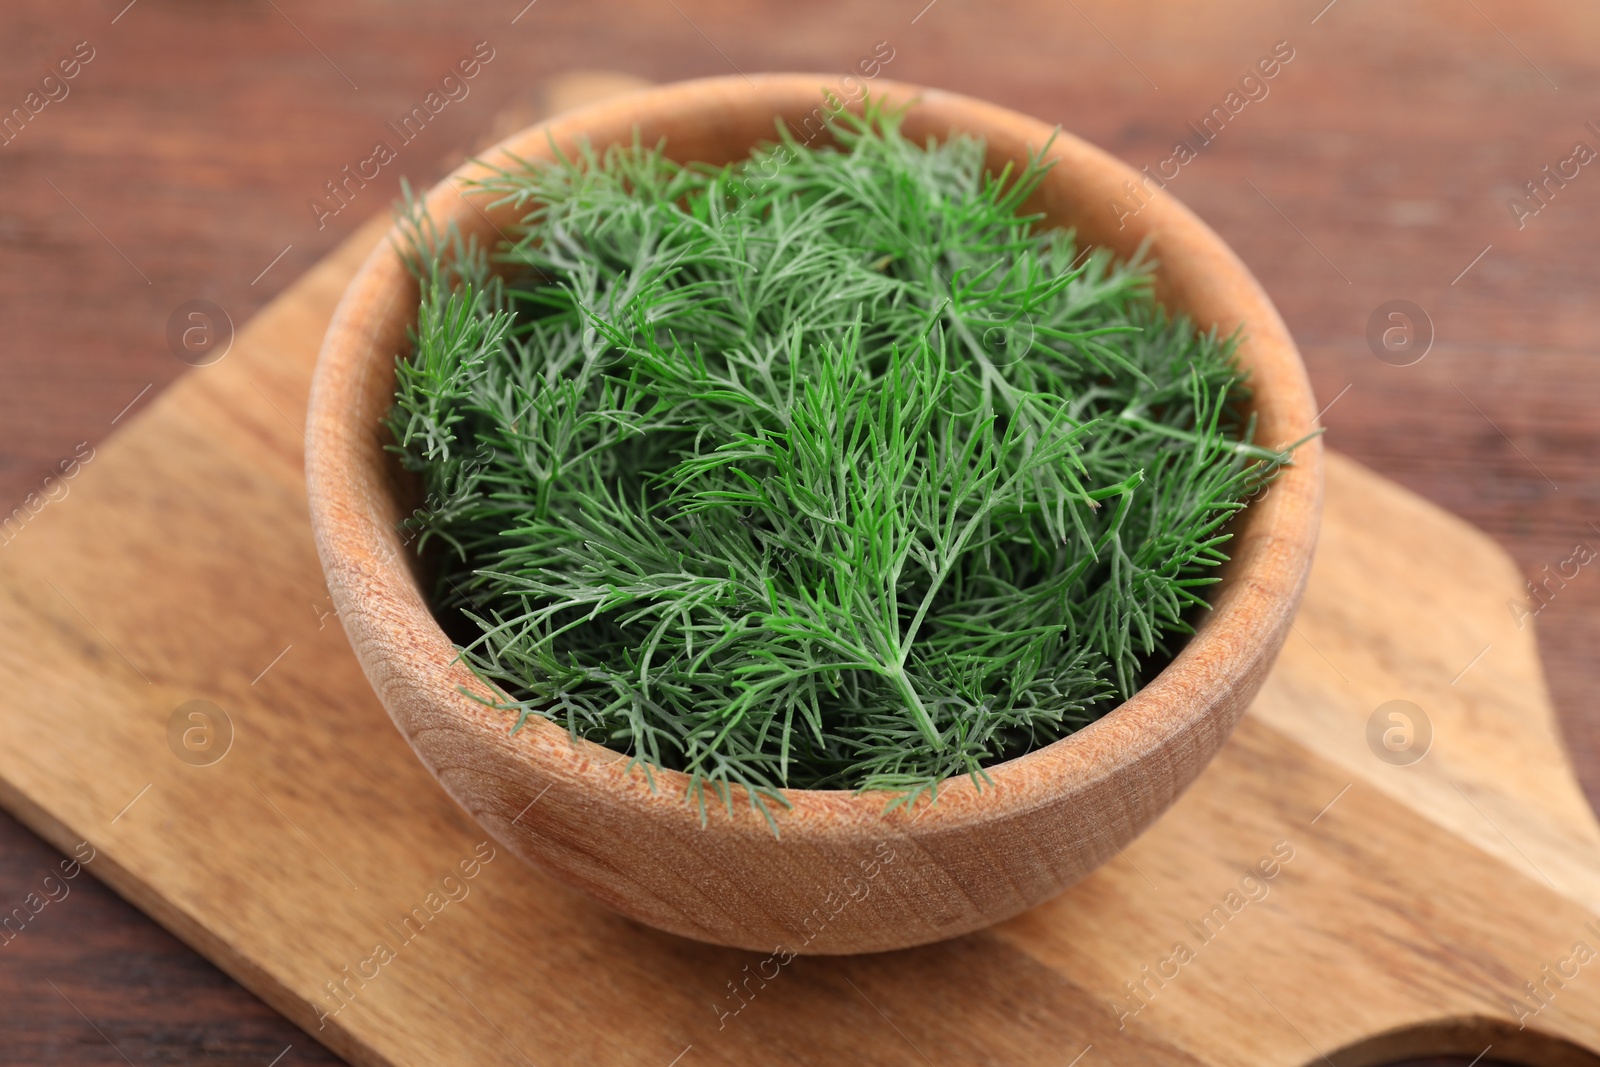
[1412, 901]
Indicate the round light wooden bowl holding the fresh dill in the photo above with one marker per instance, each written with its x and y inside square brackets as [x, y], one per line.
[844, 876]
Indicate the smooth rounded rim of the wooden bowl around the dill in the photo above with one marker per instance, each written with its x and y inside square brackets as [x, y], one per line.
[412, 663]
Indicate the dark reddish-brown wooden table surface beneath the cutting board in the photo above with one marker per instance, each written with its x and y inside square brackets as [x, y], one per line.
[1378, 167]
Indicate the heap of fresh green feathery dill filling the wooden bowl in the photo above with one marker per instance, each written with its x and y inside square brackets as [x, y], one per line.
[828, 470]
